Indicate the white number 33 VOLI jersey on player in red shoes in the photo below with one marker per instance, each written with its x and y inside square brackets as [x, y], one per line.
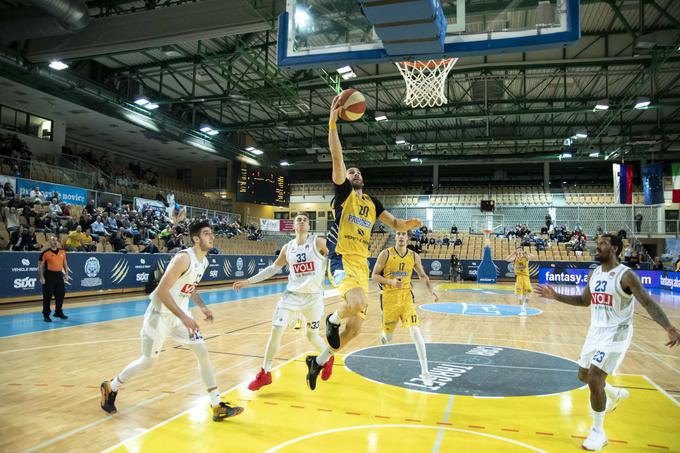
[307, 267]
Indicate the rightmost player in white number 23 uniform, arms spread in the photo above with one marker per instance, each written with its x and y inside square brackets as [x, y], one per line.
[611, 293]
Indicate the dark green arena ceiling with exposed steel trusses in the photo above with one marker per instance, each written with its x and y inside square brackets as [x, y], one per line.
[214, 62]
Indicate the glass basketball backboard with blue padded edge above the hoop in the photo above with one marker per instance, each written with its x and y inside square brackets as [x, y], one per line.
[318, 33]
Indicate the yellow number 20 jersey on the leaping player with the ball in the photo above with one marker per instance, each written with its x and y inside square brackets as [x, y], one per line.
[354, 219]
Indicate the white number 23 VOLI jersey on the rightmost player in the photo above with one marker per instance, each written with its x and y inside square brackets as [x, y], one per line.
[610, 306]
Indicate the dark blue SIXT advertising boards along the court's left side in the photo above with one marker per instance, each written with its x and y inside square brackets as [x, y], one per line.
[115, 271]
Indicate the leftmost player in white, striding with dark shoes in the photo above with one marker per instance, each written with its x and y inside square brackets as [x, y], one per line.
[169, 314]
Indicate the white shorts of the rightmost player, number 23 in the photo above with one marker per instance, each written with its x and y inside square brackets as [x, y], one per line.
[605, 347]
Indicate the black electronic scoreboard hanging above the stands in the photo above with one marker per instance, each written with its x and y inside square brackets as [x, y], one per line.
[262, 187]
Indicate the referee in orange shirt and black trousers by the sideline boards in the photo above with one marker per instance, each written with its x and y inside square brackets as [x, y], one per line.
[52, 278]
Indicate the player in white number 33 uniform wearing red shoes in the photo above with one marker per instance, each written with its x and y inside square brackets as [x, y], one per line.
[306, 259]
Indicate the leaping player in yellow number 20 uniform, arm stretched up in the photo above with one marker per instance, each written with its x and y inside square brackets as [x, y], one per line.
[348, 239]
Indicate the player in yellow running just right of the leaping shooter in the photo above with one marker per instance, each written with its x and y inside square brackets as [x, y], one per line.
[393, 271]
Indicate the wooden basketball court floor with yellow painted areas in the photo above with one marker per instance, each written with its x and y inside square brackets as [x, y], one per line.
[49, 397]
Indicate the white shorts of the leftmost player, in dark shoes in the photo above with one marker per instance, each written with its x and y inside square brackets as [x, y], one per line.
[158, 325]
